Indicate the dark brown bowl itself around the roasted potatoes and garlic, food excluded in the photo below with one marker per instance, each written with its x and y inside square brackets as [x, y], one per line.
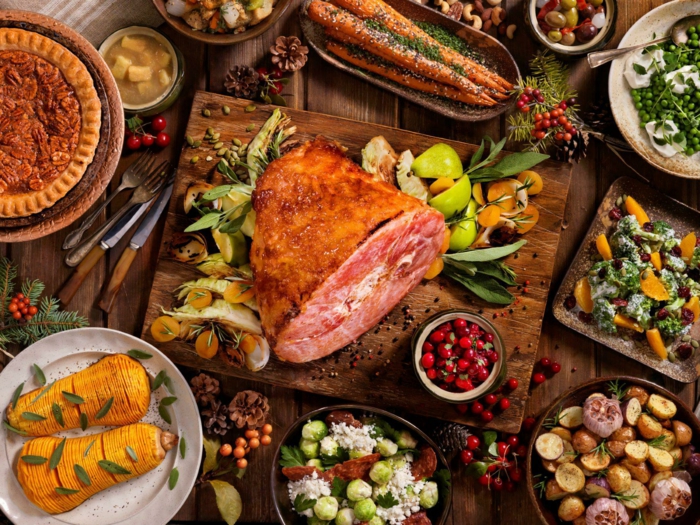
[547, 511]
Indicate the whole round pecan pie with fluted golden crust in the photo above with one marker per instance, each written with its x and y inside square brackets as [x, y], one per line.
[50, 119]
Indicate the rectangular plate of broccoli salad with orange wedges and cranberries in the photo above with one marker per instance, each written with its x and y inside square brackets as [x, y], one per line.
[635, 282]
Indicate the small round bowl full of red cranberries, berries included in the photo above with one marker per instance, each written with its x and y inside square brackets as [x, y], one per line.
[458, 356]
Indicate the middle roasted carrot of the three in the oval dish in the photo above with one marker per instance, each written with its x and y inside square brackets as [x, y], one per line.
[377, 42]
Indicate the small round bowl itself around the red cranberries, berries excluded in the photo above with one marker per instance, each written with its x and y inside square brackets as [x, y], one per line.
[498, 372]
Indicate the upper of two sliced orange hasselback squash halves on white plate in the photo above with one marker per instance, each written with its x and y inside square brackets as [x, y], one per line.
[118, 377]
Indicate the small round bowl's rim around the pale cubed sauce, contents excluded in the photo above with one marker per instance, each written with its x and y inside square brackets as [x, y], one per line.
[168, 97]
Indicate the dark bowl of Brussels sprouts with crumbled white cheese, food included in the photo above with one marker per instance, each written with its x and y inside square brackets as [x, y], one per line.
[367, 497]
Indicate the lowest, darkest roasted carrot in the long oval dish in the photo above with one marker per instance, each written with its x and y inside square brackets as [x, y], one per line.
[403, 77]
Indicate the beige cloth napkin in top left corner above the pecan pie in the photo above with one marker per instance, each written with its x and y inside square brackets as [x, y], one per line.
[94, 19]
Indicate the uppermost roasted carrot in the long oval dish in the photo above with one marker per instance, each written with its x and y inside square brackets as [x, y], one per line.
[396, 22]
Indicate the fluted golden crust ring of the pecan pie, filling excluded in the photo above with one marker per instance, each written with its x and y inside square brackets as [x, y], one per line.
[76, 74]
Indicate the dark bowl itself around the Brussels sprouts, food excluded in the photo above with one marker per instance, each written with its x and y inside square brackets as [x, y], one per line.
[278, 483]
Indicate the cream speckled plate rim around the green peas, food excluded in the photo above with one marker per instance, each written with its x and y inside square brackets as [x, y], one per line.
[657, 21]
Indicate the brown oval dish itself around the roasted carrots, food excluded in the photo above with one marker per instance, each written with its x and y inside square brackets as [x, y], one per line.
[496, 57]
